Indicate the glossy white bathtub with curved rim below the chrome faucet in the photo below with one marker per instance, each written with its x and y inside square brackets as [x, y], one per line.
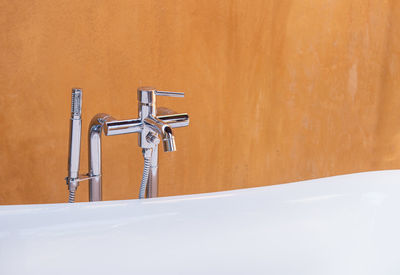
[339, 225]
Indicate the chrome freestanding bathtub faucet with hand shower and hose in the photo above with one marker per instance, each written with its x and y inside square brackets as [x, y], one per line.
[152, 123]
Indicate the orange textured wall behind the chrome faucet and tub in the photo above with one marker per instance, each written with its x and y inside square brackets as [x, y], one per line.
[277, 91]
